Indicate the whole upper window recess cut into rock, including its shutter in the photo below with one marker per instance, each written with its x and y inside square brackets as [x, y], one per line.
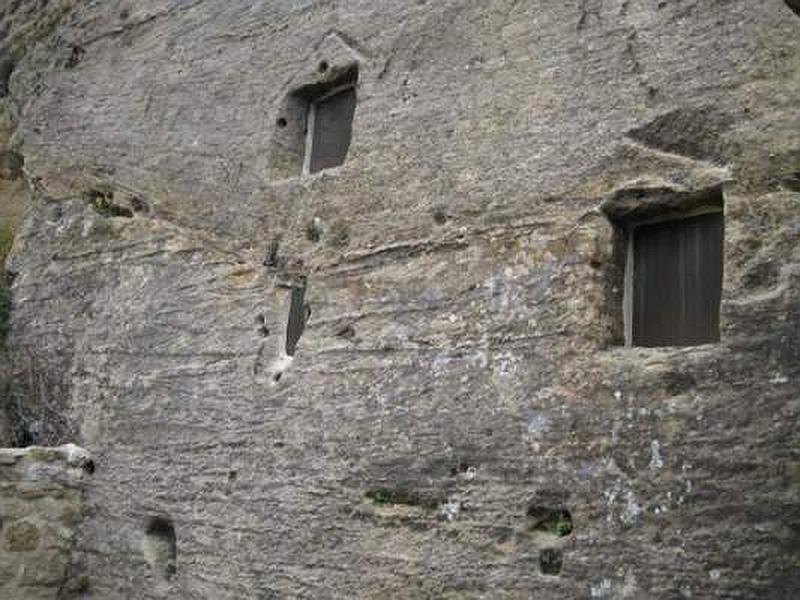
[314, 126]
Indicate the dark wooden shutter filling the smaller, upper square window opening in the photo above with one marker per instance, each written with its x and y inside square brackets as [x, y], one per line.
[331, 129]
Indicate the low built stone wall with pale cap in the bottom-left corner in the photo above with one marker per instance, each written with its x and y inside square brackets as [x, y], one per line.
[41, 507]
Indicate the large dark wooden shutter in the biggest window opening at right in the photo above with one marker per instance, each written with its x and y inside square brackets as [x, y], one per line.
[677, 281]
